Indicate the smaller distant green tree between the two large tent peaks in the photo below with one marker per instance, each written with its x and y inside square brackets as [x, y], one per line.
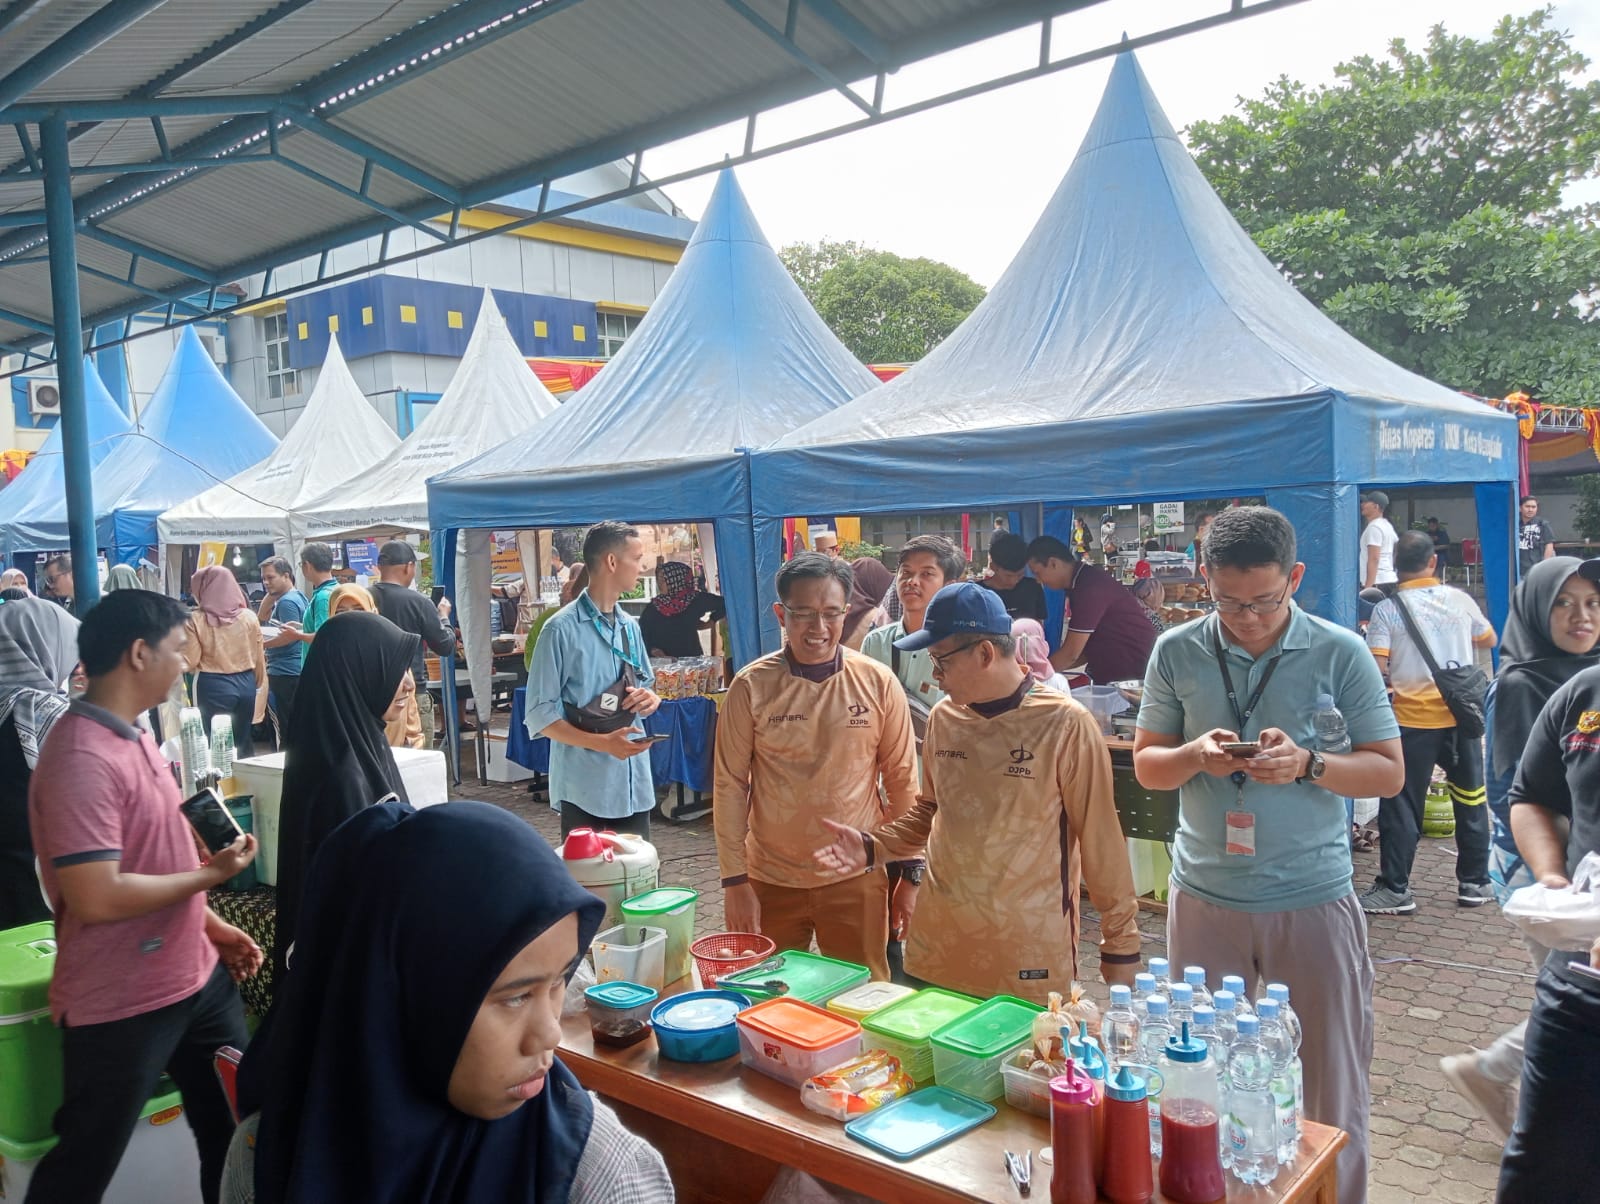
[887, 310]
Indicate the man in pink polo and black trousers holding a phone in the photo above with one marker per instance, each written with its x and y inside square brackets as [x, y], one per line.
[143, 966]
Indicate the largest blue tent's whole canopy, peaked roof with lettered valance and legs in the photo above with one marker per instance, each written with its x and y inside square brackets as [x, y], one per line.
[1142, 348]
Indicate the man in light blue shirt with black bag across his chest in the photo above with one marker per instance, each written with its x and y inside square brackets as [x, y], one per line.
[598, 779]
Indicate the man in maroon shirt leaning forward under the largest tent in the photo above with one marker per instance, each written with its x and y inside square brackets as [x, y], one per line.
[1106, 625]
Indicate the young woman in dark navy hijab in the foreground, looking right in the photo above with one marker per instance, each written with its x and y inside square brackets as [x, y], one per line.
[410, 1059]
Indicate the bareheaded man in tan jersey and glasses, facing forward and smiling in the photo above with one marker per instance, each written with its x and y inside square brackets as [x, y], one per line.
[806, 737]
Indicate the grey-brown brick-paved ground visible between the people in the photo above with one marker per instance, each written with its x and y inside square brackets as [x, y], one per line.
[1447, 979]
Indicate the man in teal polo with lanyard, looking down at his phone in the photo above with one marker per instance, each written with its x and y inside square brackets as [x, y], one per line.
[1262, 867]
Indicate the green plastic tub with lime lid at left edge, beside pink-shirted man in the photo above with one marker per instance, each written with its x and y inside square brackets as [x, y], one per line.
[30, 1043]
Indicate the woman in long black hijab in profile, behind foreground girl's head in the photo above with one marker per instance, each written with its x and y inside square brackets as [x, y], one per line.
[338, 757]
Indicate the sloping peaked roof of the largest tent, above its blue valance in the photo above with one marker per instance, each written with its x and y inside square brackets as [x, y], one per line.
[1135, 292]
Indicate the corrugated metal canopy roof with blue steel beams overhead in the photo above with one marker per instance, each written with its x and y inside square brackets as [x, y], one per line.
[210, 142]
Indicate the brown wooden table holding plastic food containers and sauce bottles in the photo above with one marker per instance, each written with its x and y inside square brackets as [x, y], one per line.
[726, 1131]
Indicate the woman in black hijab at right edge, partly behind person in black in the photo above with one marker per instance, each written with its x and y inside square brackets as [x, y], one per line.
[1551, 636]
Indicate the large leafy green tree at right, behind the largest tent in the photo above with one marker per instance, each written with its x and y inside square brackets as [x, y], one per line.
[1418, 201]
